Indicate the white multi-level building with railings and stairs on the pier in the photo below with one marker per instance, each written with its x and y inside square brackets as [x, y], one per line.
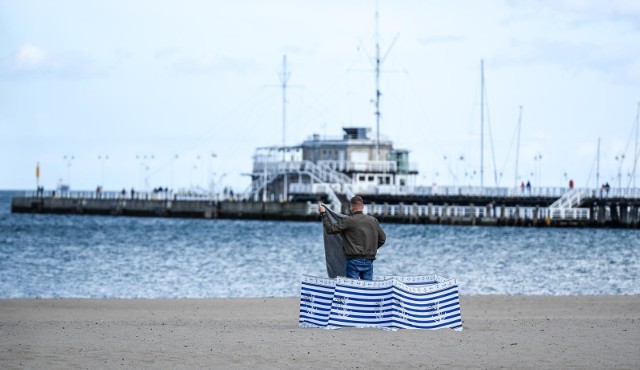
[347, 165]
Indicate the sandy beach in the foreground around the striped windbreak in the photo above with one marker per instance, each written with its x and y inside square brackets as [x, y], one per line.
[537, 332]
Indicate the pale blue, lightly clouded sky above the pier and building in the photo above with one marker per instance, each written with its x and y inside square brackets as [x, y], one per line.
[178, 94]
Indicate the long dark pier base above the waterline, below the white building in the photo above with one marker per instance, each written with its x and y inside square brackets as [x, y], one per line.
[455, 210]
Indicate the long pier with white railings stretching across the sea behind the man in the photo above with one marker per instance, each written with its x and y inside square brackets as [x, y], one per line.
[452, 205]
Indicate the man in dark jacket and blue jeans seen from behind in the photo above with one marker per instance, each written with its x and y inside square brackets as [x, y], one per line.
[362, 237]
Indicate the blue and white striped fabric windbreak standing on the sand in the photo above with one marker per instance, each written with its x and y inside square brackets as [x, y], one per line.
[388, 302]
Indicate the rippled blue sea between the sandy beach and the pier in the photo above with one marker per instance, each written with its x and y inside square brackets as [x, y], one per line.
[126, 257]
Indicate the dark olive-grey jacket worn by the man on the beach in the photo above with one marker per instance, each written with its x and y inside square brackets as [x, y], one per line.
[362, 235]
